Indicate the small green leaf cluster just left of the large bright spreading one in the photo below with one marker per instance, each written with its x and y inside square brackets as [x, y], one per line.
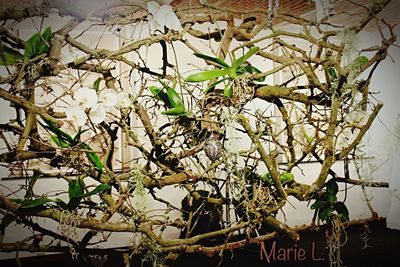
[171, 99]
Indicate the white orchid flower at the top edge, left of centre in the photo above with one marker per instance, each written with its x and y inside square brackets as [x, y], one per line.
[163, 16]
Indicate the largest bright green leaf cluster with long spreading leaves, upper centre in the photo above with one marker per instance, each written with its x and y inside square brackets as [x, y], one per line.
[226, 73]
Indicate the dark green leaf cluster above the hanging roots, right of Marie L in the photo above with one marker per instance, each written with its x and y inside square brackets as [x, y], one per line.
[327, 203]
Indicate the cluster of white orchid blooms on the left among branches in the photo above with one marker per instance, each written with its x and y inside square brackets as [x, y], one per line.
[87, 104]
